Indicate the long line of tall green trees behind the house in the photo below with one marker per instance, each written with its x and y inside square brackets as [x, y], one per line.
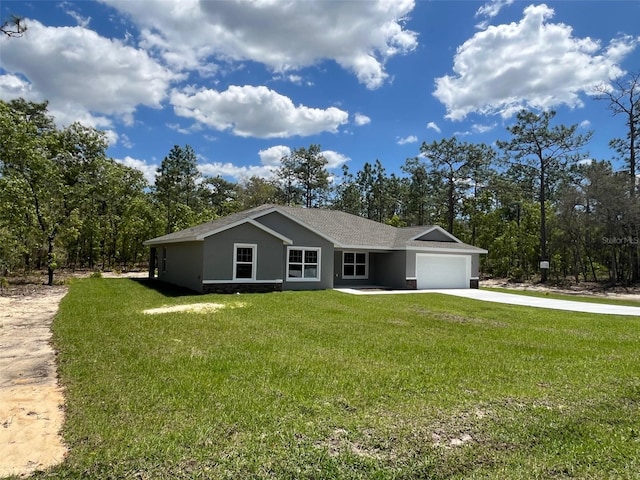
[535, 197]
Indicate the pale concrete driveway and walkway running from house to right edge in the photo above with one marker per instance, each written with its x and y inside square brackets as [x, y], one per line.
[514, 299]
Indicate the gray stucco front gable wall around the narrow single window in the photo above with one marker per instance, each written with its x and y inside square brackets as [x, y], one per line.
[219, 253]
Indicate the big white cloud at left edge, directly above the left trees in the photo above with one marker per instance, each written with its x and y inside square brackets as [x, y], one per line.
[83, 75]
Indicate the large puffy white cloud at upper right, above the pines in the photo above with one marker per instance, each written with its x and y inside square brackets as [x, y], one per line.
[529, 64]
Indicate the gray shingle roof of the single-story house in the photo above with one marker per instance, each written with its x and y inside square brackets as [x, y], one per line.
[343, 229]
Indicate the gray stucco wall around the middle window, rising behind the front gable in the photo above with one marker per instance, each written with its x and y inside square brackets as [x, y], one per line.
[302, 237]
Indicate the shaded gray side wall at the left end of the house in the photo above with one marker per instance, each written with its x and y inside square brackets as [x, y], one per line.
[183, 264]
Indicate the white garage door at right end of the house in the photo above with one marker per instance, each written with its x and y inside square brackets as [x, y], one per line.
[442, 271]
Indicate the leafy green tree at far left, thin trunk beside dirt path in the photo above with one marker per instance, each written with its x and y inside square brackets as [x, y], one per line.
[52, 168]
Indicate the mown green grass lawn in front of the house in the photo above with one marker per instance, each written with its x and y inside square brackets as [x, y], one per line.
[324, 385]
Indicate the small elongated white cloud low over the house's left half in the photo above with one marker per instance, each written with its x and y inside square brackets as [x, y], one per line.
[250, 111]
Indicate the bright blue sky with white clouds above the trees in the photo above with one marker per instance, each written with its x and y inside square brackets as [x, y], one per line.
[244, 82]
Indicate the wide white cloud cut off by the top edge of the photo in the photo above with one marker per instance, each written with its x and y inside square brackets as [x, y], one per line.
[359, 36]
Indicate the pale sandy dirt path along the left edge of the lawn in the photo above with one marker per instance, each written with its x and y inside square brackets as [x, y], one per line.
[31, 401]
